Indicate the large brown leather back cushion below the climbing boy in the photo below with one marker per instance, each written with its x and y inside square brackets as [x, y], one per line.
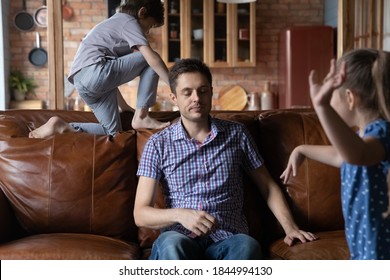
[72, 182]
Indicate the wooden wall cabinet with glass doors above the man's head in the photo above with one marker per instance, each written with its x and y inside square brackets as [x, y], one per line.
[221, 35]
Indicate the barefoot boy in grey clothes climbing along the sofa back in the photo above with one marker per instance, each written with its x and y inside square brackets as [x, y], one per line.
[113, 53]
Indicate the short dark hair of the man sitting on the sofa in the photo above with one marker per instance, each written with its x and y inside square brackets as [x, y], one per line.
[188, 65]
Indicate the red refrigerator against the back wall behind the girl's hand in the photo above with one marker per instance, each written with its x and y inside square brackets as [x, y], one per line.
[302, 48]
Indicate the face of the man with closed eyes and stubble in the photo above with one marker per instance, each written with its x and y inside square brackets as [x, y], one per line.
[193, 96]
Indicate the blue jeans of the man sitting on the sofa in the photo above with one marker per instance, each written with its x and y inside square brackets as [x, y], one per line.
[171, 245]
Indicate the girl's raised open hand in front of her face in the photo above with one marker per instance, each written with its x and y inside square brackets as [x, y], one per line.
[322, 93]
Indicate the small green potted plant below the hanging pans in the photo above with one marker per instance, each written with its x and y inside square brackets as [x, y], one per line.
[20, 85]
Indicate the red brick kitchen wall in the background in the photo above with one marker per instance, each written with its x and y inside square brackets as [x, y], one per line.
[272, 16]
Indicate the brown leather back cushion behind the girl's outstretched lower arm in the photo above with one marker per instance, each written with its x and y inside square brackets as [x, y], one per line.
[314, 194]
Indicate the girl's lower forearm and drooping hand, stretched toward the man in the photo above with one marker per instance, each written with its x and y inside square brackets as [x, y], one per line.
[325, 154]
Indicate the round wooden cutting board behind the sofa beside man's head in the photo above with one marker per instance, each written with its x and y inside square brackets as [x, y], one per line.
[232, 97]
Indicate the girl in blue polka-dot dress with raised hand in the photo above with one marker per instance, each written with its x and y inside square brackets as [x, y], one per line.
[356, 94]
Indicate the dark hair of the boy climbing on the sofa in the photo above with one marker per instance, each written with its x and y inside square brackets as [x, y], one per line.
[154, 9]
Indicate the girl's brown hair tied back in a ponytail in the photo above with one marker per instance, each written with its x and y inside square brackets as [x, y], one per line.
[368, 75]
